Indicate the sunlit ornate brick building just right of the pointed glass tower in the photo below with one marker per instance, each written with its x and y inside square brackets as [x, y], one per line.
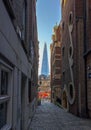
[55, 80]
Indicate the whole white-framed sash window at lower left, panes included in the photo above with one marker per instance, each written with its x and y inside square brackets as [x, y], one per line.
[5, 93]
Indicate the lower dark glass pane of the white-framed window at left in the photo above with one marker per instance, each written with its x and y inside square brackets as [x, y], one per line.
[3, 114]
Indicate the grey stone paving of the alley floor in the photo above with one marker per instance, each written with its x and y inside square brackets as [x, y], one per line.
[50, 117]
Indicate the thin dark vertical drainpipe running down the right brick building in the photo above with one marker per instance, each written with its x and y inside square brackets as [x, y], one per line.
[85, 49]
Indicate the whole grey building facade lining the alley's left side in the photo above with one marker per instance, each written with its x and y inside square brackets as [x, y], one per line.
[18, 63]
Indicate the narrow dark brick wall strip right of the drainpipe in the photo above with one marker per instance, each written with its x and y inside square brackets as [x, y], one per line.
[88, 55]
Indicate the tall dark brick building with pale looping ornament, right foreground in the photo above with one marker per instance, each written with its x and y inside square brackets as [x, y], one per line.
[76, 59]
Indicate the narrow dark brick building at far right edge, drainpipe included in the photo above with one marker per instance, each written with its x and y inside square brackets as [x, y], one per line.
[87, 53]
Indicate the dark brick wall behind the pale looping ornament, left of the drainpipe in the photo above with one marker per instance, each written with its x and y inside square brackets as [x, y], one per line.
[74, 8]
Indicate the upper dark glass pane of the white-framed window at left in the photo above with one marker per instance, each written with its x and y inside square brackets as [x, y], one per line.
[4, 82]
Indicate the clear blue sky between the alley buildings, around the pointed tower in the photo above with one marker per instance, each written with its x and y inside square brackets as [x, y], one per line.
[48, 14]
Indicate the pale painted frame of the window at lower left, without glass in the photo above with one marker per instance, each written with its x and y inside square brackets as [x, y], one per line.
[8, 97]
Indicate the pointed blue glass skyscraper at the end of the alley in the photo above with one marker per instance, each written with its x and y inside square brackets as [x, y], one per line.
[45, 67]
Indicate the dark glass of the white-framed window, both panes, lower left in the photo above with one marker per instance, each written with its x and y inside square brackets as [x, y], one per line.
[3, 93]
